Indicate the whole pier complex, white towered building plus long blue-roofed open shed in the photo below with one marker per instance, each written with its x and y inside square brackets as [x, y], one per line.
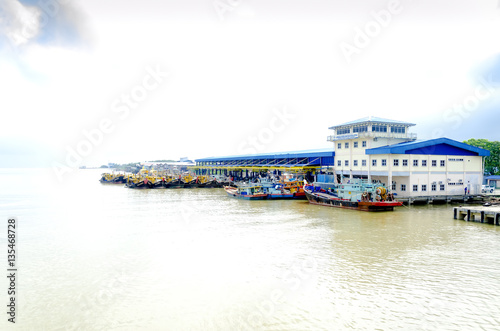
[374, 149]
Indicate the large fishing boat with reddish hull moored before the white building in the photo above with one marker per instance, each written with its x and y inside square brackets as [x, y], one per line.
[356, 194]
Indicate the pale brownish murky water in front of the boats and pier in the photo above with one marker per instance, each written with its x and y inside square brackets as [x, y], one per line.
[103, 257]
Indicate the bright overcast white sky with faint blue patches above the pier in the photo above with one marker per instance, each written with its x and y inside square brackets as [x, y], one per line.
[91, 82]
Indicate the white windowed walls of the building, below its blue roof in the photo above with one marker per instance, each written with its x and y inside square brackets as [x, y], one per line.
[449, 173]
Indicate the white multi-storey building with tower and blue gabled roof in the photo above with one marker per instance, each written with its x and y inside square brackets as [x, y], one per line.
[384, 150]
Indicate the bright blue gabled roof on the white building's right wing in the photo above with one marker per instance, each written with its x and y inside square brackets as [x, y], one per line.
[439, 146]
